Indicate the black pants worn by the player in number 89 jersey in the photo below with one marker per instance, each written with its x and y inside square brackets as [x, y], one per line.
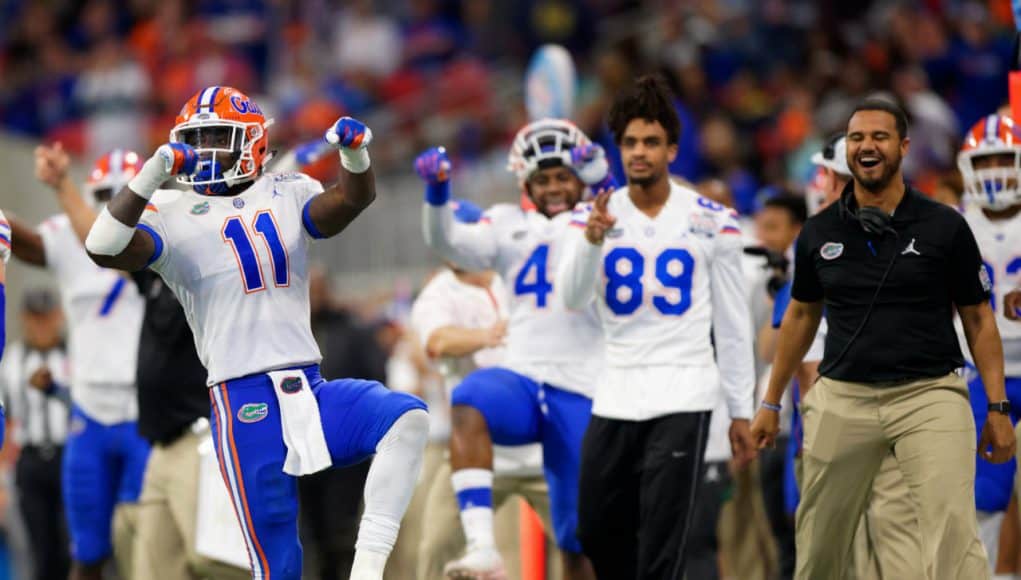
[639, 484]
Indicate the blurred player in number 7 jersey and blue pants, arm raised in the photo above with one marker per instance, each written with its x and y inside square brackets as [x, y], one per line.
[105, 458]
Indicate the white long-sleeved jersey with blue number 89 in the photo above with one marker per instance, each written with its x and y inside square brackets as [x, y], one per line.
[661, 285]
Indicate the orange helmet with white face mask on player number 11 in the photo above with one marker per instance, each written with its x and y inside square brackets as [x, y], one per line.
[229, 133]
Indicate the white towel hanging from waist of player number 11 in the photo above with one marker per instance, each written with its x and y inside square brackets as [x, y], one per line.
[301, 423]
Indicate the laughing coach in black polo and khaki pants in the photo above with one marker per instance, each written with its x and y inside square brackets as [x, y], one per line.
[892, 268]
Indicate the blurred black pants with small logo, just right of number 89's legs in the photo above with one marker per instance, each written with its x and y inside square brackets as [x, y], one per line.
[703, 550]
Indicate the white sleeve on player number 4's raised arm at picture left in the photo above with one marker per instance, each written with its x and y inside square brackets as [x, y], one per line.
[471, 247]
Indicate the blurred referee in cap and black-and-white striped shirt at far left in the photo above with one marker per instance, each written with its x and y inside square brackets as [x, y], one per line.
[38, 404]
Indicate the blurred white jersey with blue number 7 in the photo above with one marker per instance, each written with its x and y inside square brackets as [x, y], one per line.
[105, 321]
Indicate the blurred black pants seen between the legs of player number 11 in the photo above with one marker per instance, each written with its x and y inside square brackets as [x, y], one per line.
[330, 505]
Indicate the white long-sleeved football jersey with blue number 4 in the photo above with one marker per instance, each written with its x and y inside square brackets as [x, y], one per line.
[546, 342]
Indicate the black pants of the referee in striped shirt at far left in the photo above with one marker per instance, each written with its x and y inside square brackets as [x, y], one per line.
[38, 479]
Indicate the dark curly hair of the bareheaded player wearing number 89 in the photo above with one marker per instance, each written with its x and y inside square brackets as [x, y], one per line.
[648, 99]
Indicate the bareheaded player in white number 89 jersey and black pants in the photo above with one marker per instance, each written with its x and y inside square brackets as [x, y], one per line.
[664, 266]
